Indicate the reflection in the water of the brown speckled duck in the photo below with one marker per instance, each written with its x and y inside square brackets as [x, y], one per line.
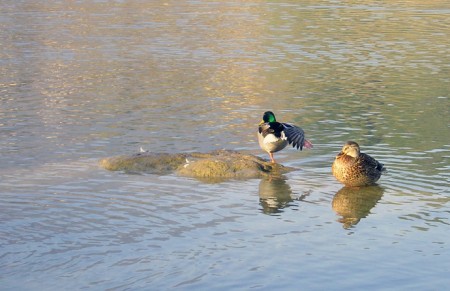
[354, 203]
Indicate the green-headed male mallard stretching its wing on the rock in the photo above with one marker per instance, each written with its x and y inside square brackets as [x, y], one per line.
[274, 136]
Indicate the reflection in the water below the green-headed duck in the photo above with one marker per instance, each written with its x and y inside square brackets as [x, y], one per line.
[274, 194]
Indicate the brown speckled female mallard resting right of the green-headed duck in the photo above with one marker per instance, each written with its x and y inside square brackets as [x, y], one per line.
[353, 168]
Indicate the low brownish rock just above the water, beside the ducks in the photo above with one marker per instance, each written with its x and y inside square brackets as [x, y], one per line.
[221, 164]
